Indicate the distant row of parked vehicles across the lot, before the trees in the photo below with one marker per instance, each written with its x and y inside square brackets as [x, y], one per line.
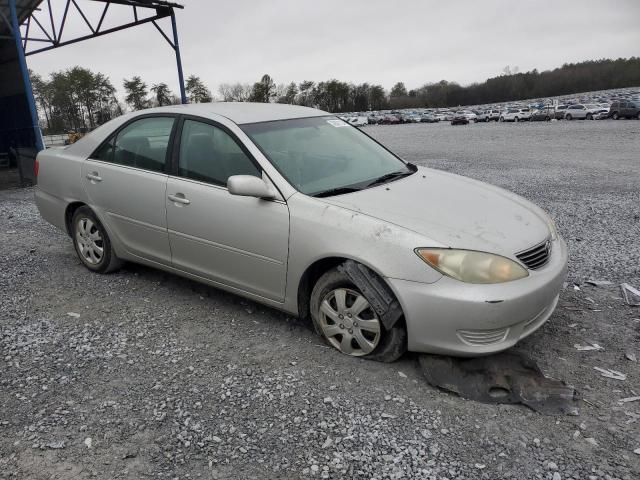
[517, 113]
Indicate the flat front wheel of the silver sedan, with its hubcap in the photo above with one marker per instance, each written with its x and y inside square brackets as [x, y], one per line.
[378, 343]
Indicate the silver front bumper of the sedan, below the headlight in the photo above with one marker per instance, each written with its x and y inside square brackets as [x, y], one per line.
[455, 318]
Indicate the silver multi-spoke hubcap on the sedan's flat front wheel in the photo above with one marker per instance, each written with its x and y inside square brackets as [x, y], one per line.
[349, 323]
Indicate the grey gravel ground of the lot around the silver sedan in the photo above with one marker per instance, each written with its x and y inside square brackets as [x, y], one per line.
[142, 374]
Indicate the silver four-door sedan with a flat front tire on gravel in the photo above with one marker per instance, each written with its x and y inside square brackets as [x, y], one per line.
[296, 209]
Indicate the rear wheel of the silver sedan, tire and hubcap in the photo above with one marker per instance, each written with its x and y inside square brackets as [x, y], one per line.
[91, 242]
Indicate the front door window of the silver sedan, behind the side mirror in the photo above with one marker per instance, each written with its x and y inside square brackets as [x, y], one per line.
[209, 154]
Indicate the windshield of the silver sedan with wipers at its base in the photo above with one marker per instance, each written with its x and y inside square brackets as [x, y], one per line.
[321, 154]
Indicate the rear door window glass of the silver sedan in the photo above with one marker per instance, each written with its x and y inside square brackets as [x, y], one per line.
[141, 144]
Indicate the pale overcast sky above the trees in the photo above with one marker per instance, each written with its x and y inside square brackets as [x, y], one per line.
[375, 41]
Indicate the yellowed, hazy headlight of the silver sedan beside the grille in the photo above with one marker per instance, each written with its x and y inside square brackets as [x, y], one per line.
[472, 267]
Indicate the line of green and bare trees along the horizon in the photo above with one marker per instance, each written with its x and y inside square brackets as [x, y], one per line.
[77, 97]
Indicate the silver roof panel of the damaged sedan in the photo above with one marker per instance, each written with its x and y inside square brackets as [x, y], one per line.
[242, 112]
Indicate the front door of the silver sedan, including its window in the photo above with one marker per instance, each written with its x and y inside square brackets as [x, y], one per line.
[241, 242]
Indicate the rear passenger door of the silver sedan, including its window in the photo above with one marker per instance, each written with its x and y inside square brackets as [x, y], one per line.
[126, 180]
